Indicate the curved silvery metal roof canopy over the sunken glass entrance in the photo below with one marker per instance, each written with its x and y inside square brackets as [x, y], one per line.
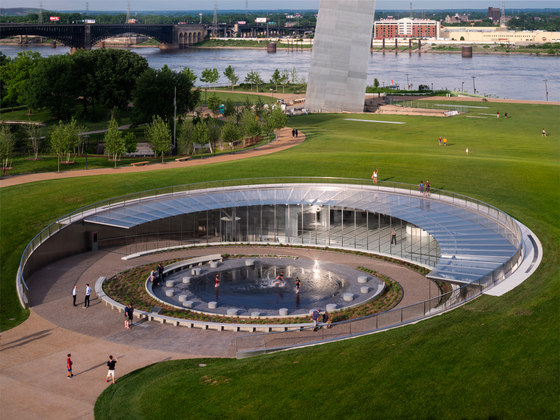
[472, 244]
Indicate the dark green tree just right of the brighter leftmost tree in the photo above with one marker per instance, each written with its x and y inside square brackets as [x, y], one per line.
[52, 85]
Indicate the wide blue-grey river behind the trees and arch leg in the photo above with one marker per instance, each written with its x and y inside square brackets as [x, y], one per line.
[500, 76]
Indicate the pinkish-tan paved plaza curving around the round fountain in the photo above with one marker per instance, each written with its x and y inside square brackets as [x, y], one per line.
[33, 381]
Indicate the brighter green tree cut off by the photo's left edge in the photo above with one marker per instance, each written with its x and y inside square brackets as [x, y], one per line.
[15, 73]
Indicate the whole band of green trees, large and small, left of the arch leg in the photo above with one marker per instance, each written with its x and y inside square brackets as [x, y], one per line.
[91, 82]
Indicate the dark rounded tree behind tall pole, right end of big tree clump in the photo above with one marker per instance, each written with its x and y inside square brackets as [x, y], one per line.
[155, 93]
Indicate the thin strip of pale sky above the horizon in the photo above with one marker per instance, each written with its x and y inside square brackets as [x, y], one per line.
[141, 5]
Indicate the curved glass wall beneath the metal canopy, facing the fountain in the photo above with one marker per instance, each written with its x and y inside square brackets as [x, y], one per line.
[295, 224]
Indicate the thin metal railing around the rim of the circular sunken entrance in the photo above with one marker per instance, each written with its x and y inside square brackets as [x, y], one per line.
[508, 227]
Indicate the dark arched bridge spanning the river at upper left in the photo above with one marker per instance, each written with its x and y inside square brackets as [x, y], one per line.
[85, 36]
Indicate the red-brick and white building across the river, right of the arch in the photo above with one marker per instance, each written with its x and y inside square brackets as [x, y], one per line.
[406, 28]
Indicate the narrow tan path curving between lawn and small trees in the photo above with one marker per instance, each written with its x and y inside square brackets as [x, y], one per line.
[284, 140]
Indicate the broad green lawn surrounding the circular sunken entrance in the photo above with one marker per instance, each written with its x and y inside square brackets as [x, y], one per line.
[492, 358]
